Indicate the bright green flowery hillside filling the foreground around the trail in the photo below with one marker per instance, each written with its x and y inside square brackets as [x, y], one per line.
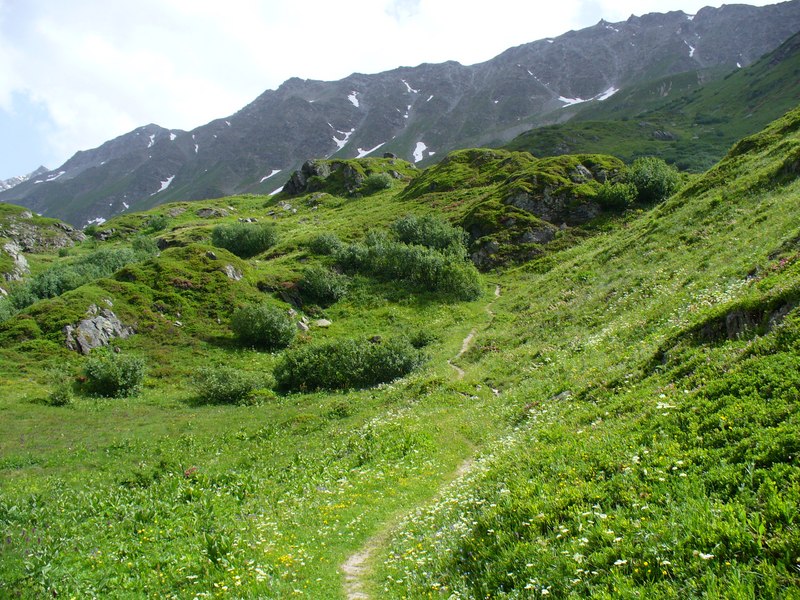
[614, 415]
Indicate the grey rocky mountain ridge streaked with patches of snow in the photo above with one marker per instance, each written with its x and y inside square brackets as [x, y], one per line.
[417, 113]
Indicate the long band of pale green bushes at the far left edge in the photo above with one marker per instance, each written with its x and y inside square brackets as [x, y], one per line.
[63, 277]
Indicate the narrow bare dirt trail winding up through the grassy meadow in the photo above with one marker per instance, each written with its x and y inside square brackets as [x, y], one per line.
[356, 567]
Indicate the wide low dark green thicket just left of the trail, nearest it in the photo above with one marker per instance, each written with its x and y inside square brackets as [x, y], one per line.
[345, 364]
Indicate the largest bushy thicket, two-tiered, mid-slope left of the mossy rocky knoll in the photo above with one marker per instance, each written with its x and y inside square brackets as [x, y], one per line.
[426, 252]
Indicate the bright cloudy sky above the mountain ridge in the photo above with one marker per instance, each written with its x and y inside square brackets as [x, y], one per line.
[75, 74]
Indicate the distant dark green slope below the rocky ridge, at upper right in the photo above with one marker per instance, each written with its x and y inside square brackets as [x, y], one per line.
[678, 118]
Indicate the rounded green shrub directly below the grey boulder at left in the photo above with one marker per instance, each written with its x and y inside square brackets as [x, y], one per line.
[113, 375]
